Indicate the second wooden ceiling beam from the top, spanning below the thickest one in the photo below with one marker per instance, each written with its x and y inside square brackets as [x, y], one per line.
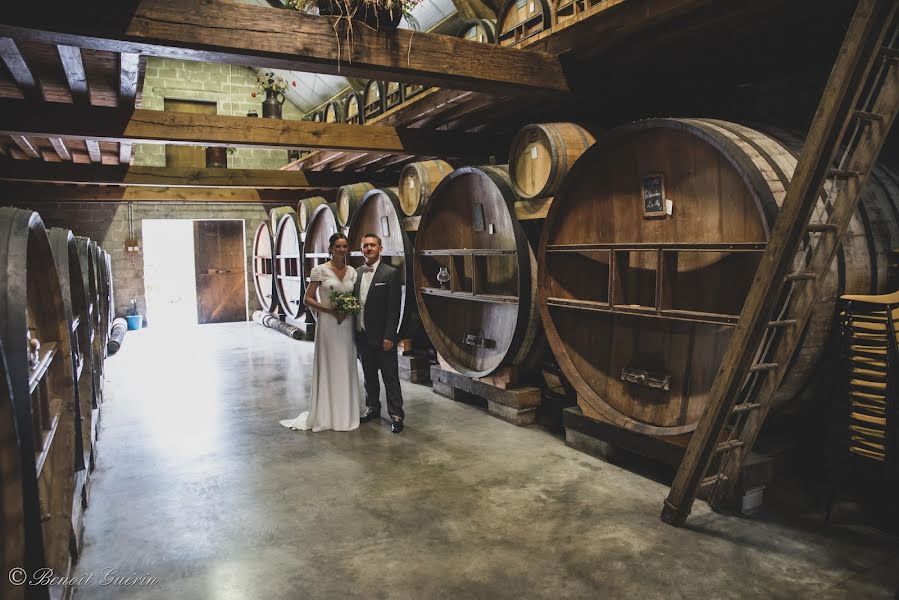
[164, 127]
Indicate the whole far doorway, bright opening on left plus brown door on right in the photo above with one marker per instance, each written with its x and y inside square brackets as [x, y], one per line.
[194, 271]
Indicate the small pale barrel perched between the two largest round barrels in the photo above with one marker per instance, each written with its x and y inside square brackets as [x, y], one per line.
[542, 154]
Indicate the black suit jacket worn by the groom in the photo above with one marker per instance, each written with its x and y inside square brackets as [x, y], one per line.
[382, 305]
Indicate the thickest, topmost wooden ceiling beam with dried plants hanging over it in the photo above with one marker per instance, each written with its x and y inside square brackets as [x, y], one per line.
[255, 36]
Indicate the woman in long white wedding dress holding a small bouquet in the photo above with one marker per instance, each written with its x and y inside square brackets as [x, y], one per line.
[334, 397]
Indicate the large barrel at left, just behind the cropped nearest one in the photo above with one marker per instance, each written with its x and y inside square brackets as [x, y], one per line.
[42, 383]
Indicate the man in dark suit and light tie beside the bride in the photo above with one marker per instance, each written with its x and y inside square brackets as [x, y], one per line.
[379, 291]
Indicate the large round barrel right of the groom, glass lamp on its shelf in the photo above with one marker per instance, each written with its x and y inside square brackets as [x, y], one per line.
[487, 318]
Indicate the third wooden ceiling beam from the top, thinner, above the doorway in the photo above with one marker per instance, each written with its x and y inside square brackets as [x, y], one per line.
[46, 172]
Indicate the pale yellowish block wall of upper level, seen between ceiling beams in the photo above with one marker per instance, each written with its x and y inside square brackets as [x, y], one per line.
[227, 85]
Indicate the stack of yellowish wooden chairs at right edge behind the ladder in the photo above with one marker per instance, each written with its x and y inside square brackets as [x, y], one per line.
[869, 334]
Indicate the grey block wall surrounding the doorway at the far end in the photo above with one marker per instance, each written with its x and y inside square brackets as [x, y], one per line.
[107, 224]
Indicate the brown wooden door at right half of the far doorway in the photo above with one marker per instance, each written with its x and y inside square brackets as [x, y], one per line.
[220, 268]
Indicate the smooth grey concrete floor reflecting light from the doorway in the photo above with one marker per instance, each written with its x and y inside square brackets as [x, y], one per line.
[199, 487]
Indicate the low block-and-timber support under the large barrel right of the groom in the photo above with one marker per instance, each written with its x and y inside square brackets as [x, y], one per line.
[516, 405]
